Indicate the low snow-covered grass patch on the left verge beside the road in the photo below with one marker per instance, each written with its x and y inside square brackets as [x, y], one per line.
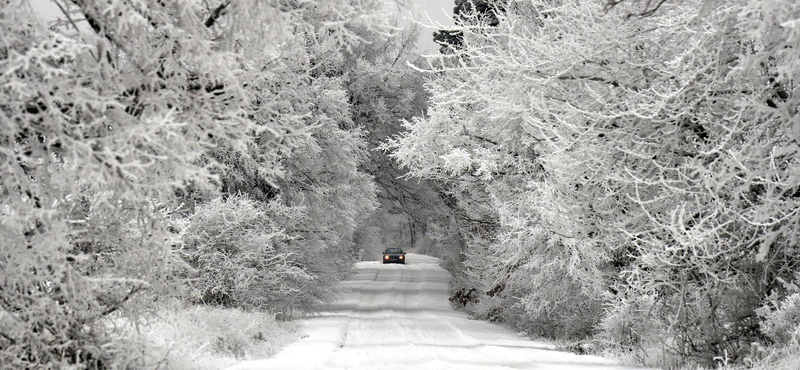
[202, 337]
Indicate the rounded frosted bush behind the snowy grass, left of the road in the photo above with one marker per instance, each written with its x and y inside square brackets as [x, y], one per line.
[242, 257]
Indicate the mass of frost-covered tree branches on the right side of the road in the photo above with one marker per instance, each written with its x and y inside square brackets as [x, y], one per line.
[633, 155]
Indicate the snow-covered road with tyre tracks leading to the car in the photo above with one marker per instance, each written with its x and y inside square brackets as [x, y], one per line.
[398, 317]
